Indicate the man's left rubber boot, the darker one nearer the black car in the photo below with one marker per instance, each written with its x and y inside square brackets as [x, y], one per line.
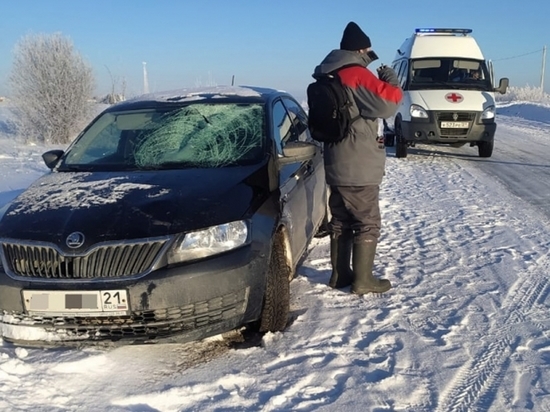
[340, 257]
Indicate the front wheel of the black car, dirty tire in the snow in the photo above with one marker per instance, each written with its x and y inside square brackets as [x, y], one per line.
[276, 304]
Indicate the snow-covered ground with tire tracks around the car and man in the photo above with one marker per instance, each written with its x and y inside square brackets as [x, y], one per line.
[466, 327]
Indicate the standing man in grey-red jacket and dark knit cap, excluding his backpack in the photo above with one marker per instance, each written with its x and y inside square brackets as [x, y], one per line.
[355, 166]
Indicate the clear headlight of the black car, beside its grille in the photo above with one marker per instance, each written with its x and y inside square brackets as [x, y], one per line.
[209, 241]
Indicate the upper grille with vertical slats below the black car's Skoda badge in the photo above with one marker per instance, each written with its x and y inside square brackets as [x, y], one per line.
[107, 261]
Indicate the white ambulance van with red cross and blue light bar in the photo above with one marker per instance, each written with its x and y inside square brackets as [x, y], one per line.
[448, 92]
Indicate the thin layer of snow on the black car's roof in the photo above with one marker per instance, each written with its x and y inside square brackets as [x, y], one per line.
[199, 93]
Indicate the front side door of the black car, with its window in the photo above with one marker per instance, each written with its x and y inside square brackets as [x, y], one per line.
[301, 184]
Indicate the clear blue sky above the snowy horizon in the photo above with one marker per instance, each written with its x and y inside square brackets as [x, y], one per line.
[264, 43]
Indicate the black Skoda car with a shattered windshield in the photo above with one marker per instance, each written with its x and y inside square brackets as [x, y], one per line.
[172, 216]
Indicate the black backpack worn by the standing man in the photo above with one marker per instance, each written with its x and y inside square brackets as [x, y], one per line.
[329, 115]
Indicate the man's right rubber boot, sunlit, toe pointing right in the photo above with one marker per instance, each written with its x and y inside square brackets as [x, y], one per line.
[363, 261]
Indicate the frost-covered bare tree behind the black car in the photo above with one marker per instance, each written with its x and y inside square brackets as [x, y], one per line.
[51, 87]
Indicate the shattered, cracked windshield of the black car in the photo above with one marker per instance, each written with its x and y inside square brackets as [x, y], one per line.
[193, 136]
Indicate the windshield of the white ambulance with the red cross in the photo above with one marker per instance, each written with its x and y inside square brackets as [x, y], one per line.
[449, 73]
